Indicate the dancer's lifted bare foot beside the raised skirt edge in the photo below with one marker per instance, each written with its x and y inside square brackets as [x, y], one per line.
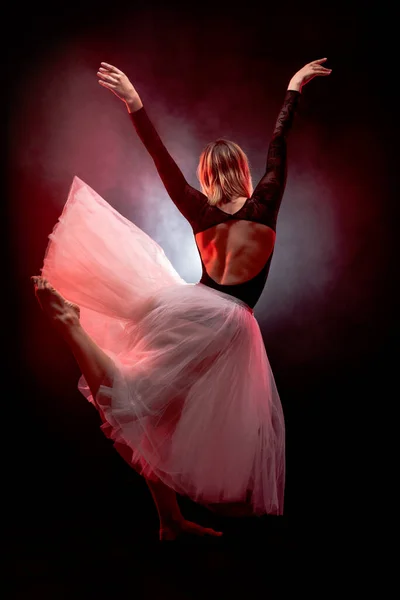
[62, 312]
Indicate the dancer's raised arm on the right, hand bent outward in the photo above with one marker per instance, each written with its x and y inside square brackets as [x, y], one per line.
[272, 185]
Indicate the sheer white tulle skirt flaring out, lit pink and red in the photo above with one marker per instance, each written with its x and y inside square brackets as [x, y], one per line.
[192, 399]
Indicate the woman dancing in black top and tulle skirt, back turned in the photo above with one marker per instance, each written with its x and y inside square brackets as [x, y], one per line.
[179, 372]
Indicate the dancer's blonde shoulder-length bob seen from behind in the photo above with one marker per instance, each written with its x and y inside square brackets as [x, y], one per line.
[224, 172]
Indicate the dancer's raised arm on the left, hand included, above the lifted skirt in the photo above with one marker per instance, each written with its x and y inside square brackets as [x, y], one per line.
[188, 200]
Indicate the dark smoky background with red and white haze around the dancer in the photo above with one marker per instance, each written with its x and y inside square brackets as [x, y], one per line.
[77, 513]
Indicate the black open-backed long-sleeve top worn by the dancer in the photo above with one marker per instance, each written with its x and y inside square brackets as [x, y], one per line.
[262, 207]
